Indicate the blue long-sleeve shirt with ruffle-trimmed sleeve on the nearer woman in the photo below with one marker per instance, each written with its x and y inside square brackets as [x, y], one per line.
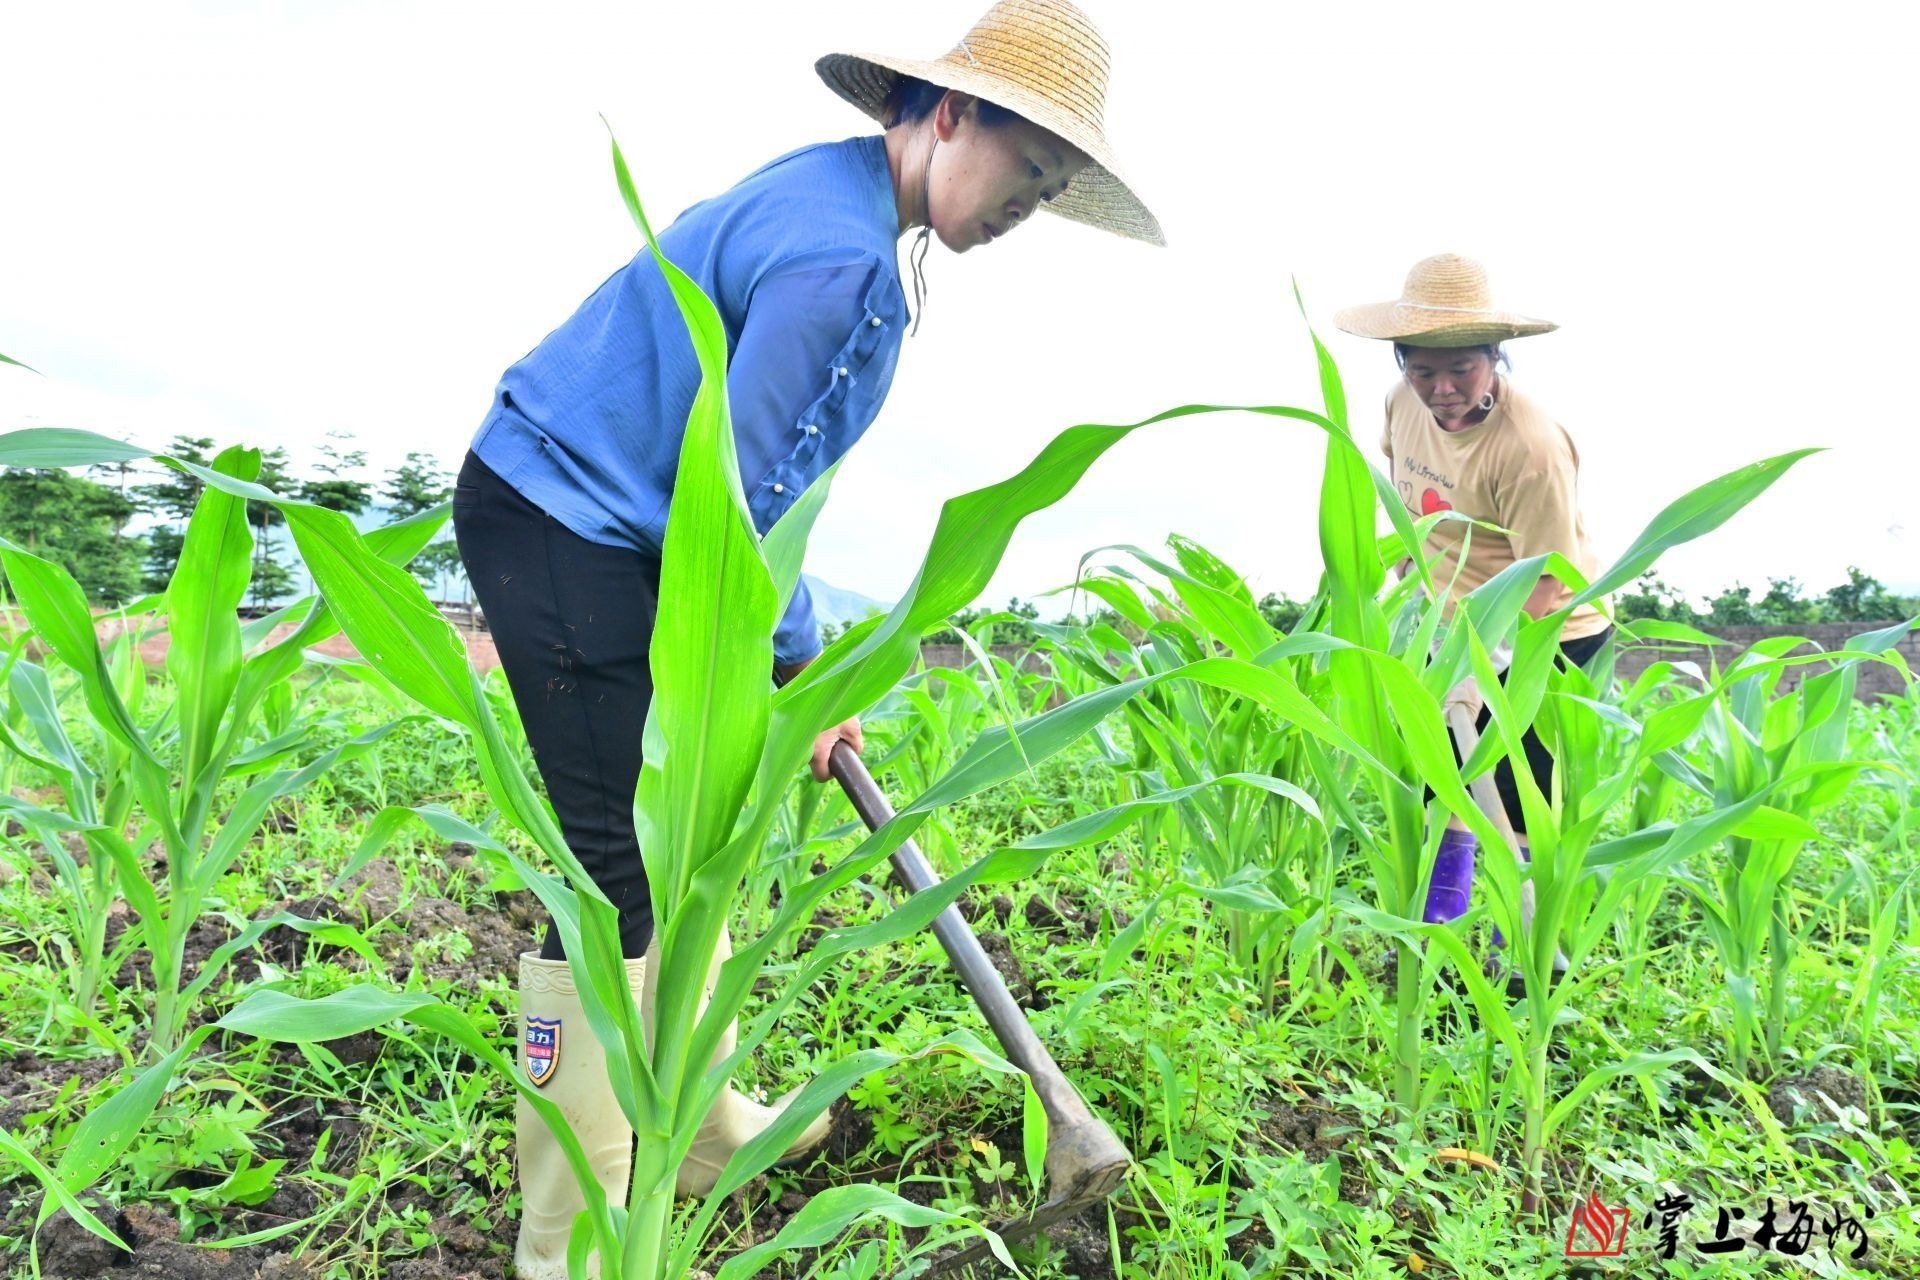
[800, 260]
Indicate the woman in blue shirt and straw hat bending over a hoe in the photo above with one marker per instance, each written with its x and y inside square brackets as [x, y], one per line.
[562, 504]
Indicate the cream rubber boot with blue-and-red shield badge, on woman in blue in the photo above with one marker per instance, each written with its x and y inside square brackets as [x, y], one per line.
[569, 1066]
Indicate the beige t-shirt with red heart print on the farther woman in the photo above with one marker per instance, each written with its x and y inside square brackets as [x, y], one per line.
[1518, 469]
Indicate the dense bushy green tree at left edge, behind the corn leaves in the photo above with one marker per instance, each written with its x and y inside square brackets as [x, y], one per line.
[78, 525]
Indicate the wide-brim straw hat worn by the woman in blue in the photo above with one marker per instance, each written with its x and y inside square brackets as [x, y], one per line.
[1044, 60]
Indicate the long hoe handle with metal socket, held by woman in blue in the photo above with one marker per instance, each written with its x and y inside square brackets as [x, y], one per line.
[1084, 1158]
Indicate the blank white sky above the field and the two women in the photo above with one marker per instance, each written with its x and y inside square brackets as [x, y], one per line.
[266, 222]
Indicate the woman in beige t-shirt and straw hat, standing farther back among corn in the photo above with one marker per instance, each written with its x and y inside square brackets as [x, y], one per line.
[1464, 439]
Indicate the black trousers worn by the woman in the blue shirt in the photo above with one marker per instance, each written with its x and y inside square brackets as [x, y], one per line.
[573, 623]
